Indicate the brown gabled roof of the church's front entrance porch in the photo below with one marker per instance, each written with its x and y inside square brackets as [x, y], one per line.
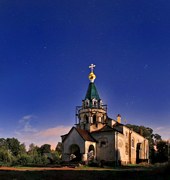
[83, 133]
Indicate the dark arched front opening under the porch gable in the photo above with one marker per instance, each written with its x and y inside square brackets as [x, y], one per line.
[75, 154]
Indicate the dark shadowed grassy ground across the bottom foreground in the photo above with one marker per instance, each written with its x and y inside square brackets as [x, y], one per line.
[86, 173]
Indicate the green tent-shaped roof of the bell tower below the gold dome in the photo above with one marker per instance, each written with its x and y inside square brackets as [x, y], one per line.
[92, 92]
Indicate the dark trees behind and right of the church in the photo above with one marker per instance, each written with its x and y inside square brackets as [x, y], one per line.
[158, 148]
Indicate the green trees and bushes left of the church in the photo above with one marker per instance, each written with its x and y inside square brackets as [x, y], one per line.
[14, 153]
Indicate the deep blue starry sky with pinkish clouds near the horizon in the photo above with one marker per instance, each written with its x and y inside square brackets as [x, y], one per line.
[47, 46]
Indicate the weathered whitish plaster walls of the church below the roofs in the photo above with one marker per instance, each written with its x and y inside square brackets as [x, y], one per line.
[110, 146]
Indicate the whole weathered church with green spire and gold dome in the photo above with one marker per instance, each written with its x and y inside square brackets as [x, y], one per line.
[96, 137]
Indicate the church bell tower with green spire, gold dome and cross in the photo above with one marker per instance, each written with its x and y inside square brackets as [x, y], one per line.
[92, 114]
